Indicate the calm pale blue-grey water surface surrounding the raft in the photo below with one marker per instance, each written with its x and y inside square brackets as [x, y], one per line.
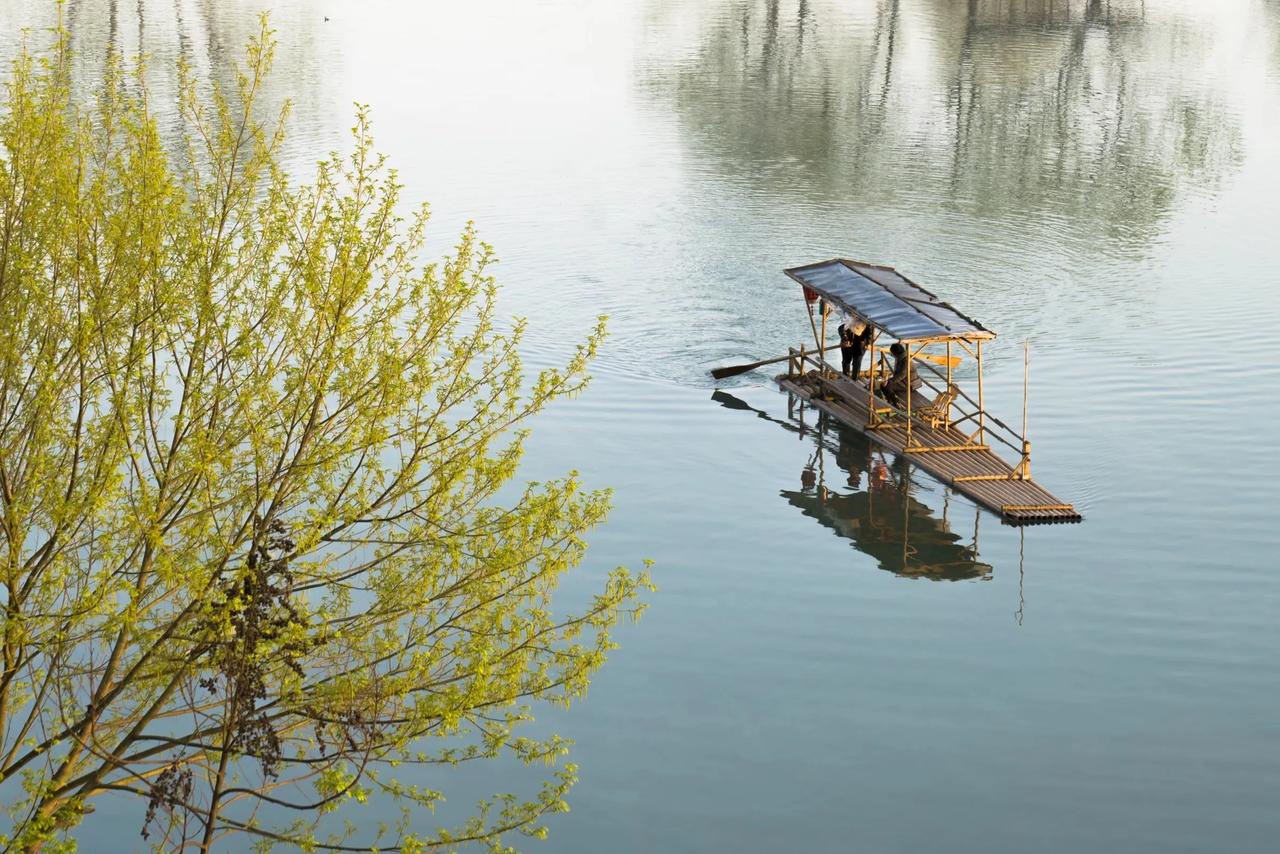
[1098, 177]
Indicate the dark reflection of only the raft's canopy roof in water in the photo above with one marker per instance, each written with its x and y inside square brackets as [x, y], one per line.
[898, 531]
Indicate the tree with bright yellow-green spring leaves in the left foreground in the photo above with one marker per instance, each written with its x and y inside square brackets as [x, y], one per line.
[255, 546]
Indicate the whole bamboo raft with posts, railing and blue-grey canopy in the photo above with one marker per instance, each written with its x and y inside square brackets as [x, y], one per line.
[948, 433]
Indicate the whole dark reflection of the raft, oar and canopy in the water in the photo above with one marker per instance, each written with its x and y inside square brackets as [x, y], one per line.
[867, 497]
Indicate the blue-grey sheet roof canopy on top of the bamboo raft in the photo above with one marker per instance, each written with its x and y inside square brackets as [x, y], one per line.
[888, 300]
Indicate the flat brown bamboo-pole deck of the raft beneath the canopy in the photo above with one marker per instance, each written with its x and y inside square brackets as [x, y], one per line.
[979, 474]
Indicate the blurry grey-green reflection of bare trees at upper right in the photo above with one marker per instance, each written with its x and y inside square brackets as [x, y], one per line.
[1005, 109]
